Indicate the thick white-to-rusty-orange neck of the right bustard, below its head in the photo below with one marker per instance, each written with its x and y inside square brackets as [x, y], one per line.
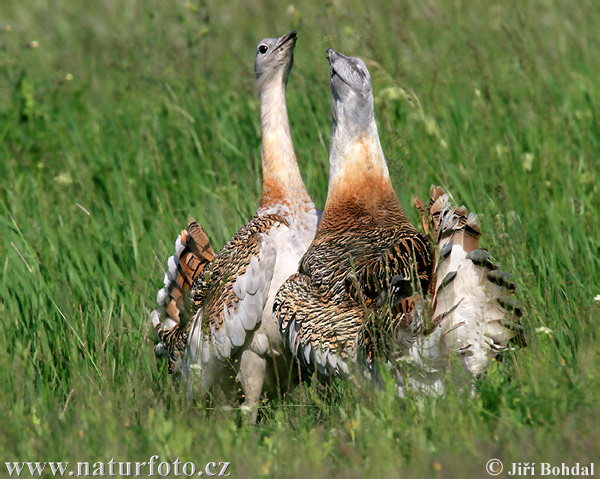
[360, 189]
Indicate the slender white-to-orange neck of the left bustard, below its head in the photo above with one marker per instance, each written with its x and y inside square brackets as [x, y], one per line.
[282, 182]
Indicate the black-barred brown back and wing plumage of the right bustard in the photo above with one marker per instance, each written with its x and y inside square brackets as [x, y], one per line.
[318, 308]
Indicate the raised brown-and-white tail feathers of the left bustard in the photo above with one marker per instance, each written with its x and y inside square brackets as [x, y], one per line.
[193, 253]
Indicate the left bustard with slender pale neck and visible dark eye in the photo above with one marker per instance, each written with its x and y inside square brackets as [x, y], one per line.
[228, 323]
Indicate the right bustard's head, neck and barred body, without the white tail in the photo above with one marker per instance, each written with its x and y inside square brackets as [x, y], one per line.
[356, 284]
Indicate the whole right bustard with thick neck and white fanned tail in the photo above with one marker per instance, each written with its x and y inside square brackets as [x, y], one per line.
[371, 286]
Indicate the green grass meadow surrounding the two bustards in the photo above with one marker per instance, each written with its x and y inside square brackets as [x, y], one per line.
[128, 116]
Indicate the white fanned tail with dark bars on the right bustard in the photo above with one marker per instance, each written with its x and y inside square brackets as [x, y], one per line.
[472, 300]
